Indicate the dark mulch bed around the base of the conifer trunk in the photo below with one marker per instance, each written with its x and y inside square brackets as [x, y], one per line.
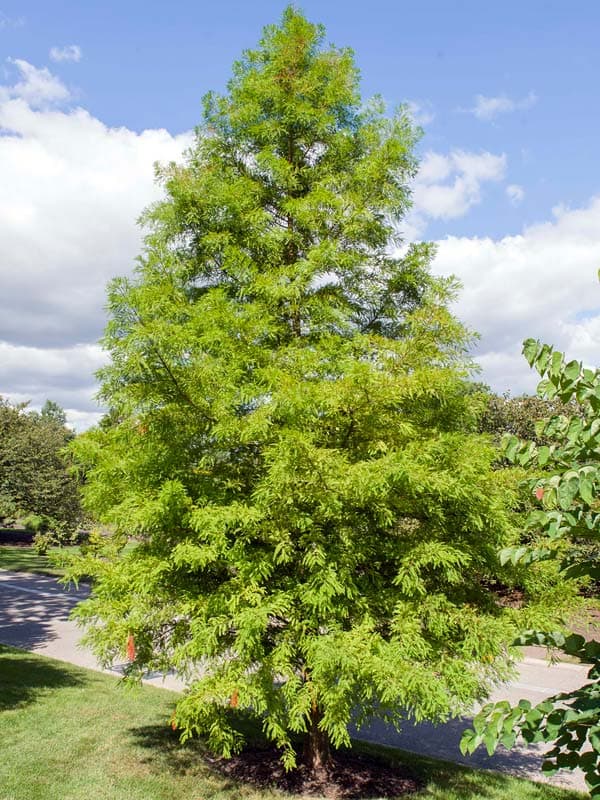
[348, 776]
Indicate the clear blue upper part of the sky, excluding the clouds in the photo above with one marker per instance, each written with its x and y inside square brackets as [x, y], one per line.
[147, 64]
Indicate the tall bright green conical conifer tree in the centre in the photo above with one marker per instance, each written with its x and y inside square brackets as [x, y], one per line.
[290, 437]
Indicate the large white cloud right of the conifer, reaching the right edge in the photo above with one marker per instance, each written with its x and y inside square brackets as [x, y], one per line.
[541, 283]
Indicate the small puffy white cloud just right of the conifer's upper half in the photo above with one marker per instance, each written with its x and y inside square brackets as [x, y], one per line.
[447, 186]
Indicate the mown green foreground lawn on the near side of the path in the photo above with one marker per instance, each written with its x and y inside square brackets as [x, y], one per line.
[73, 734]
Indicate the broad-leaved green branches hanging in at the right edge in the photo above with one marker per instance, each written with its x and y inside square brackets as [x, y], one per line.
[567, 516]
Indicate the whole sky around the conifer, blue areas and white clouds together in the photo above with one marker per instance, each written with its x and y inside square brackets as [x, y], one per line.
[507, 94]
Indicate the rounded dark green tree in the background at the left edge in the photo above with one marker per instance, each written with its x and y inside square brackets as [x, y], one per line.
[34, 472]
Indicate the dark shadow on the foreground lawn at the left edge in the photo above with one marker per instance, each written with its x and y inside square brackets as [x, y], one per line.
[24, 678]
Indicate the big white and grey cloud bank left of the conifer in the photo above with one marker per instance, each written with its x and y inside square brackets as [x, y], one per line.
[71, 192]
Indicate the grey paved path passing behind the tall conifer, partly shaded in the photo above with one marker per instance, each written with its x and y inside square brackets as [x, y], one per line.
[34, 615]
